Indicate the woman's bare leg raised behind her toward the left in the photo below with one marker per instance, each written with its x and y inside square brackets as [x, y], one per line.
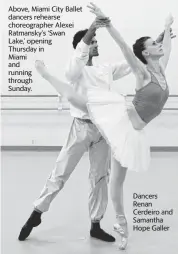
[62, 88]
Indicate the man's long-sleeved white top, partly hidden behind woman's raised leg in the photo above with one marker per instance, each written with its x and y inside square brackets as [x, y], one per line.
[82, 76]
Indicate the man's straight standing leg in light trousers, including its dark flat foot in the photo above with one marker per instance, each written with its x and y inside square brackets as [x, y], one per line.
[99, 154]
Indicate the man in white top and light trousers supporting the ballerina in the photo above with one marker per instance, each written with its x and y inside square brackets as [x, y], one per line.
[83, 136]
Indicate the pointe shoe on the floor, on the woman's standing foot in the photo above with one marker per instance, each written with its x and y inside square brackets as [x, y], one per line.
[122, 230]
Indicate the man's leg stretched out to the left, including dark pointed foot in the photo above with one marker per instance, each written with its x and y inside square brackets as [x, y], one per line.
[68, 158]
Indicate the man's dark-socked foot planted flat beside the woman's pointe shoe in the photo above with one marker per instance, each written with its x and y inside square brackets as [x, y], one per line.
[99, 233]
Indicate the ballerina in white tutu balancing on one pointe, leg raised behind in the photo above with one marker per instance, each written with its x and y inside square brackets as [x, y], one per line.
[120, 123]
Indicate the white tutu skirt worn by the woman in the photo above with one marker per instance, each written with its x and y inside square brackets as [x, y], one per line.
[129, 146]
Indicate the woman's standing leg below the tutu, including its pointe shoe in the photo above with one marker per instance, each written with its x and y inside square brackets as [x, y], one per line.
[117, 180]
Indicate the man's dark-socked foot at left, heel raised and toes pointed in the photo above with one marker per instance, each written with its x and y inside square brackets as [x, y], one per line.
[33, 221]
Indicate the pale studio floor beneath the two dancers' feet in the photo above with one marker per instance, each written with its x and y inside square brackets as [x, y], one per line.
[65, 227]
